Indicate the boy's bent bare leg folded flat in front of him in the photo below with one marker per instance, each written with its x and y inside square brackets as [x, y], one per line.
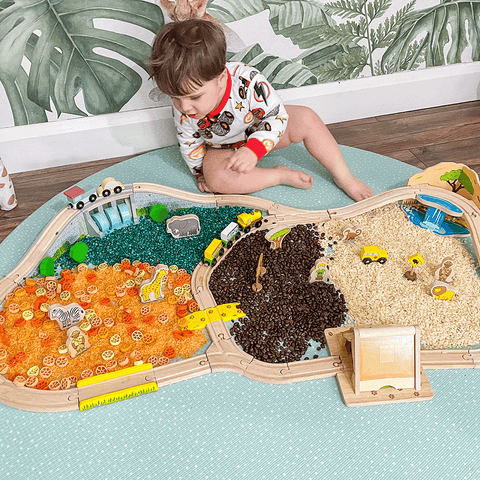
[219, 179]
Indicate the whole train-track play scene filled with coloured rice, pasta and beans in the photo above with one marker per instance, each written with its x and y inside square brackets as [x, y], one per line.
[177, 285]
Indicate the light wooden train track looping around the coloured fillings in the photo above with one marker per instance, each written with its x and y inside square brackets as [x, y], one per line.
[223, 353]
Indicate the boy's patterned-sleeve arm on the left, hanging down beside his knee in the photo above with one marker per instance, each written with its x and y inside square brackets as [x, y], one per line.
[192, 147]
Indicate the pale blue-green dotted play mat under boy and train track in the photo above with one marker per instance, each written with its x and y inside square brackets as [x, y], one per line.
[225, 426]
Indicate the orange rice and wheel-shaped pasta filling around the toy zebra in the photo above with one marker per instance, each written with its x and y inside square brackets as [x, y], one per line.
[142, 332]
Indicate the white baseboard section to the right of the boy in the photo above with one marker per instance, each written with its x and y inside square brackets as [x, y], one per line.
[386, 94]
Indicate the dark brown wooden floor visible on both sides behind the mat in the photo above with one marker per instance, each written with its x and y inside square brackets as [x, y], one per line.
[421, 138]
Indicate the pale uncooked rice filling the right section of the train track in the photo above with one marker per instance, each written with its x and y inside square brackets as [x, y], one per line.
[380, 294]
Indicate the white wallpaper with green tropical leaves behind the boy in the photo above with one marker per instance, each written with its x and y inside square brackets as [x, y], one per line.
[72, 58]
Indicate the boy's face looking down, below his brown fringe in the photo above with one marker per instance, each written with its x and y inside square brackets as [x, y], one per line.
[204, 99]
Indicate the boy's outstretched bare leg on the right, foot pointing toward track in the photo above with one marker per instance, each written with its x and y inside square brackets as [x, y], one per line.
[305, 125]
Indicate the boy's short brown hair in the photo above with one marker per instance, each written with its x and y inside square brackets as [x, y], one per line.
[187, 54]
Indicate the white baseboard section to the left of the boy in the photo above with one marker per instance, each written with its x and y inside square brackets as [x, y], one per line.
[44, 145]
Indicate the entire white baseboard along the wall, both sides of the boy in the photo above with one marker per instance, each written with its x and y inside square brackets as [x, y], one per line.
[33, 147]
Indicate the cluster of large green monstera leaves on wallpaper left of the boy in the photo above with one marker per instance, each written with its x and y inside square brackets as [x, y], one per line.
[59, 41]
